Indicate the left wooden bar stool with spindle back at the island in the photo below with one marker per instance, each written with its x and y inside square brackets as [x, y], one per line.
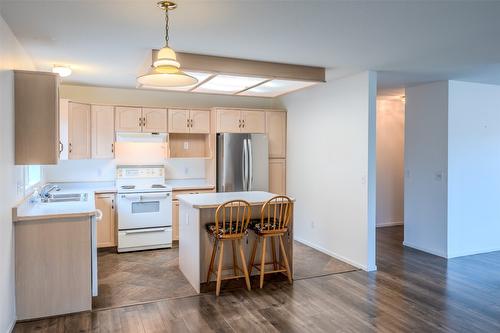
[231, 223]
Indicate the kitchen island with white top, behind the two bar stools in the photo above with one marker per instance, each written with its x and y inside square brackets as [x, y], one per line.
[195, 246]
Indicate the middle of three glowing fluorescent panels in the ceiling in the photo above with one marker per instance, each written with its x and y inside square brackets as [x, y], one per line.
[228, 84]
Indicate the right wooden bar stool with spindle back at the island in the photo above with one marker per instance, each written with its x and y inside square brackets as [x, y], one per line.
[273, 223]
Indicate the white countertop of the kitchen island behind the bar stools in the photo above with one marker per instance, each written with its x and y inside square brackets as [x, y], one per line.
[212, 200]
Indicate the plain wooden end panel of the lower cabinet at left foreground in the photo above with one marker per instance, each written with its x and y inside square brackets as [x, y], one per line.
[53, 267]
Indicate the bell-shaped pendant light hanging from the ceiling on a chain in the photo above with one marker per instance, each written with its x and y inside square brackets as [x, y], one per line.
[165, 71]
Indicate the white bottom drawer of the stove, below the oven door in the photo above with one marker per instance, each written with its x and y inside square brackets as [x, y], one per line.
[137, 239]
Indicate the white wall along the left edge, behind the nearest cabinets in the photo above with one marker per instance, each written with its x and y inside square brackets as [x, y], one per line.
[12, 56]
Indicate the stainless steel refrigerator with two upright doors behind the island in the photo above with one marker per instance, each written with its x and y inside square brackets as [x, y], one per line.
[242, 162]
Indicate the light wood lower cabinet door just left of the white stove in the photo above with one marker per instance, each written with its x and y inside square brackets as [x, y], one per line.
[106, 229]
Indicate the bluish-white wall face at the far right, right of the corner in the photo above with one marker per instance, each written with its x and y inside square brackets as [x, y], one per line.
[473, 168]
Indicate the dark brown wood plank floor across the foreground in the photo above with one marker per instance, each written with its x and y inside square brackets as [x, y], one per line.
[411, 292]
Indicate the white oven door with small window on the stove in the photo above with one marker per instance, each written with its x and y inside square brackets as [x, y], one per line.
[144, 210]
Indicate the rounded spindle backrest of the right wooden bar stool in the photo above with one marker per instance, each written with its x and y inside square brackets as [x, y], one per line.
[276, 214]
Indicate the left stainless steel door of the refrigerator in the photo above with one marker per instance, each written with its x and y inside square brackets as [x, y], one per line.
[230, 162]
